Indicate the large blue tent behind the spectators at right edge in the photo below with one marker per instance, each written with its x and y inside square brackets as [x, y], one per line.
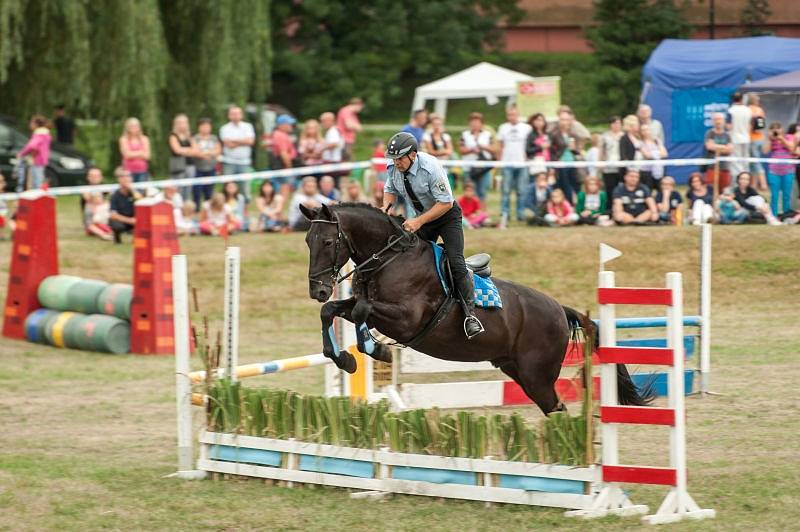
[685, 81]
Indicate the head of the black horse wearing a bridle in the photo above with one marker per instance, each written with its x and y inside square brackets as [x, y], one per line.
[328, 251]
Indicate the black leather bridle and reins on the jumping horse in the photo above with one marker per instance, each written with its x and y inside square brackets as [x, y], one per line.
[333, 272]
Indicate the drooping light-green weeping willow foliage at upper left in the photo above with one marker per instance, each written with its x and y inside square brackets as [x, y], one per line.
[146, 58]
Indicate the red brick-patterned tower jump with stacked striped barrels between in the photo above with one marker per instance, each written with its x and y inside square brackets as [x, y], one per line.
[89, 314]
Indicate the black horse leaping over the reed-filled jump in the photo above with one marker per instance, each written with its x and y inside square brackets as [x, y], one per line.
[397, 291]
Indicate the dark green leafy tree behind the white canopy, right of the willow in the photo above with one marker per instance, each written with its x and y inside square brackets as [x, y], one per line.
[325, 54]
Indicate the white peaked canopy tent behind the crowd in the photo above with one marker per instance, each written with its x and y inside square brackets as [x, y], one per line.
[483, 80]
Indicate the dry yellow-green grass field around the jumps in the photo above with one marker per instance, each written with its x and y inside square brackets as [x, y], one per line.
[86, 438]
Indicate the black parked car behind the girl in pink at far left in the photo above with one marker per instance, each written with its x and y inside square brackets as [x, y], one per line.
[67, 165]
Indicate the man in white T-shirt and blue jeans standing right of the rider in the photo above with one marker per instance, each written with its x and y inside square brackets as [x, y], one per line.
[512, 136]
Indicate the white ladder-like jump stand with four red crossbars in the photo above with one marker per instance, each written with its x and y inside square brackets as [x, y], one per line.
[678, 504]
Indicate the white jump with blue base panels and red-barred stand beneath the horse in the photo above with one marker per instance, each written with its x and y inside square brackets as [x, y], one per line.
[591, 491]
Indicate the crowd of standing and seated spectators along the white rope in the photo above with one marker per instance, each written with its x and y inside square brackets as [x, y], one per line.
[593, 194]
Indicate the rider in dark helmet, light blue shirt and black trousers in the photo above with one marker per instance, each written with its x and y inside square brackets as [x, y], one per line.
[422, 181]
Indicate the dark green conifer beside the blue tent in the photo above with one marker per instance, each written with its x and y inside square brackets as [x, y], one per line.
[626, 33]
